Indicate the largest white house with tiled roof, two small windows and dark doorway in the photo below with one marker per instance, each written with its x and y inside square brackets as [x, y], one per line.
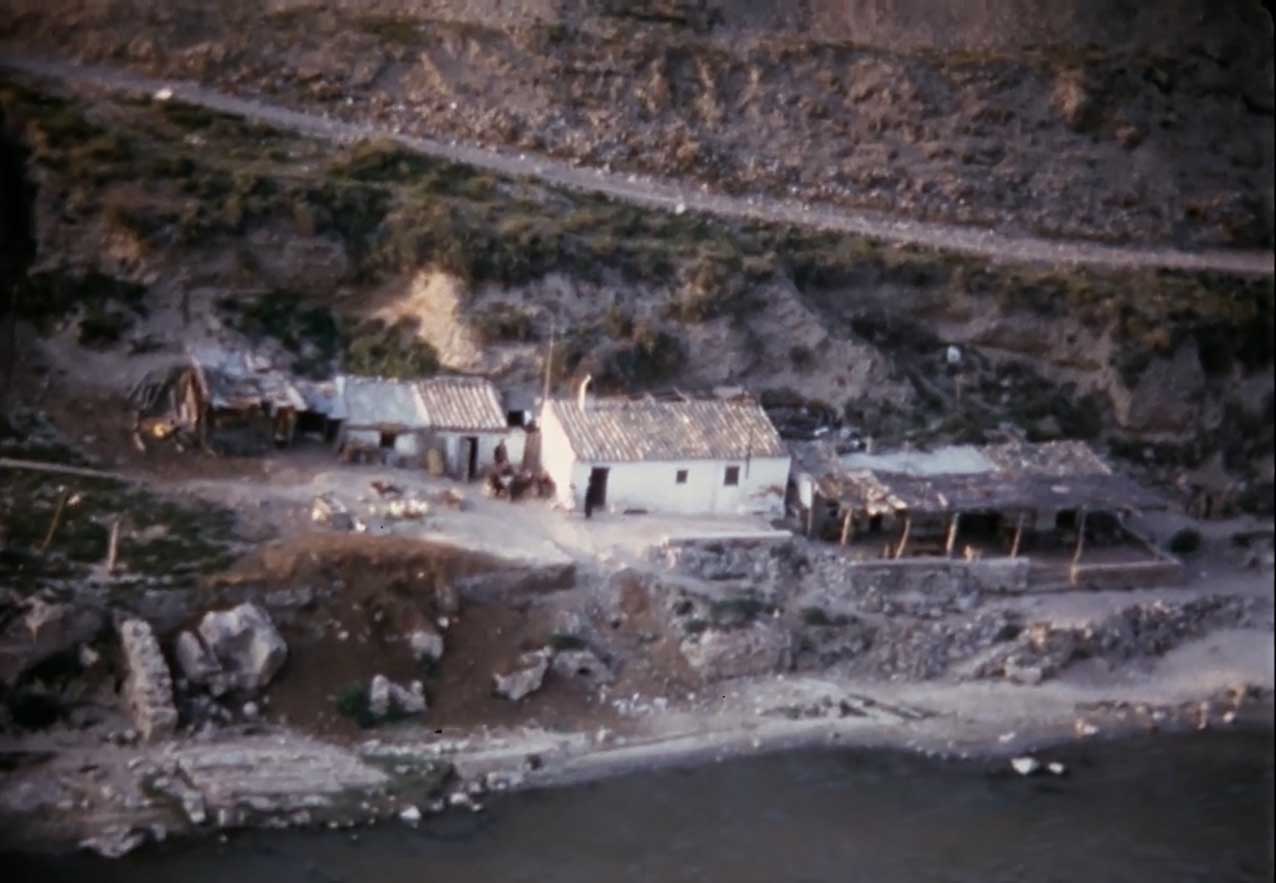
[691, 457]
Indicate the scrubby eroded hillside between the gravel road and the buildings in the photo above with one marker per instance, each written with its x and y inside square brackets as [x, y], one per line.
[159, 224]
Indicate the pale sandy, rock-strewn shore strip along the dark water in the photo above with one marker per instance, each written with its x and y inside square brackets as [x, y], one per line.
[280, 779]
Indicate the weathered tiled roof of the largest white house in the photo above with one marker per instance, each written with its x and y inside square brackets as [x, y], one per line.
[623, 432]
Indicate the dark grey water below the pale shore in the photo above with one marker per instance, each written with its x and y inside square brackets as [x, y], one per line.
[1161, 810]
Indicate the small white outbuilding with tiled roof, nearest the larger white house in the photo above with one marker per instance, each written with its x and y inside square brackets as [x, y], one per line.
[466, 422]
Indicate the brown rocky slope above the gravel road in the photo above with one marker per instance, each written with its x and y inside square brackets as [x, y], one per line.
[1136, 122]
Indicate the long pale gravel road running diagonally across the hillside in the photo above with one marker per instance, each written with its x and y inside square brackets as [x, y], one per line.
[664, 193]
